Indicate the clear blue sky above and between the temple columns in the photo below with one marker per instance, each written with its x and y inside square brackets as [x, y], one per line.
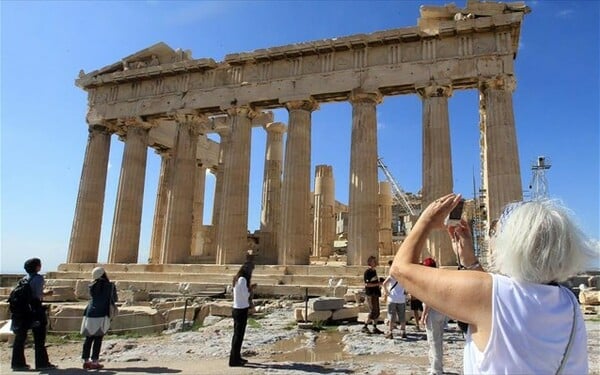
[43, 130]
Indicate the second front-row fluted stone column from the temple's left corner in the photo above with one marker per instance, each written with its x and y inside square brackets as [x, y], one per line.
[125, 238]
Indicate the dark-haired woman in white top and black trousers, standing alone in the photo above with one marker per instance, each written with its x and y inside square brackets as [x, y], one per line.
[242, 289]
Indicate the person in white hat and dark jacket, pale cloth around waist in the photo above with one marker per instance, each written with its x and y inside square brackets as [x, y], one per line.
[96, 320]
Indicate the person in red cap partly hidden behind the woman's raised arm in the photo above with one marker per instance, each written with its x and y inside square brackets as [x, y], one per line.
[434, 323]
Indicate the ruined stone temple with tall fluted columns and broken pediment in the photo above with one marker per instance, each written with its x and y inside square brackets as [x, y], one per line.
[164, 99]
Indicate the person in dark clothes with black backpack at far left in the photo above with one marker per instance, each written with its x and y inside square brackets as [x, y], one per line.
[34, 318]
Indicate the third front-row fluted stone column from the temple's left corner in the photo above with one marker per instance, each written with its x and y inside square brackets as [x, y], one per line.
[178, 231]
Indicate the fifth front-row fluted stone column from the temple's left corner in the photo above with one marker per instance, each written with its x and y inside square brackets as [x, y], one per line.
[294, 239]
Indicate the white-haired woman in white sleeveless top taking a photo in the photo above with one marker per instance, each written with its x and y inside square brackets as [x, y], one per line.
[520, 320]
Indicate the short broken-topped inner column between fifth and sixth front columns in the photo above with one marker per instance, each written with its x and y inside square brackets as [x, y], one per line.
[324, 211]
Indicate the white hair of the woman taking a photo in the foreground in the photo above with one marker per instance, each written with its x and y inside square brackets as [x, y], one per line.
[539, 242]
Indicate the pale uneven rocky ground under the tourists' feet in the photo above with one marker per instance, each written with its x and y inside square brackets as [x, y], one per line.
[273, 345]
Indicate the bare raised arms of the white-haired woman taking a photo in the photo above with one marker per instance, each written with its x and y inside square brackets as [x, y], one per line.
[462, 295]
